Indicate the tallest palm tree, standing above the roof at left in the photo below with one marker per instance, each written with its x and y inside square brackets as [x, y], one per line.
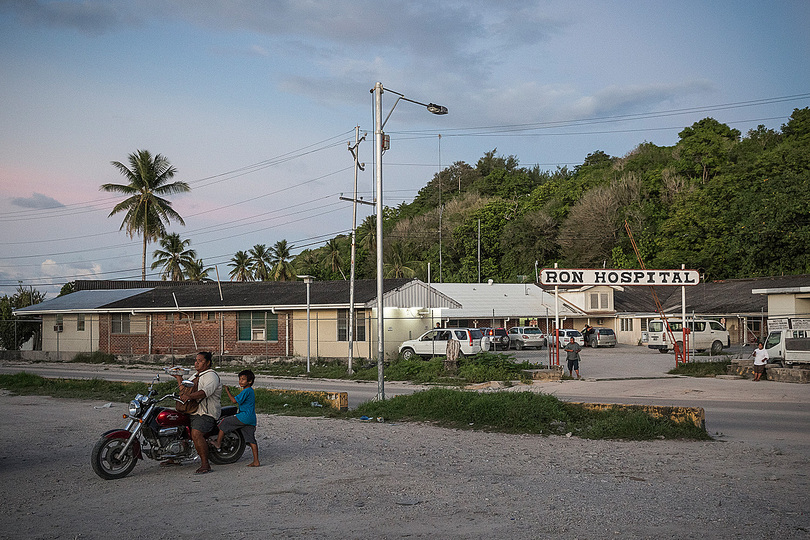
[147, 211]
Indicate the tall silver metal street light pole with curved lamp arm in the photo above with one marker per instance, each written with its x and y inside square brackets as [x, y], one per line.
[379, 123]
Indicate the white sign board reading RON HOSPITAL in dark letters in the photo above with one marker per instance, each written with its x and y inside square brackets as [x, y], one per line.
[568, 277]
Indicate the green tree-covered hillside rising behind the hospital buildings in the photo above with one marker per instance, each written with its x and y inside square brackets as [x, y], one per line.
[728, 205]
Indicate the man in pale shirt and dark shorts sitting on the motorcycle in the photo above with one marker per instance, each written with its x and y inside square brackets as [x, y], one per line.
[209, 394]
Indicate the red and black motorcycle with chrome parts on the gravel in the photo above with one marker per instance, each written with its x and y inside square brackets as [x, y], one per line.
[159, 433]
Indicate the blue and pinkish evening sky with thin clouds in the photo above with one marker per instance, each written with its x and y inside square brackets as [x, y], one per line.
[256, 102]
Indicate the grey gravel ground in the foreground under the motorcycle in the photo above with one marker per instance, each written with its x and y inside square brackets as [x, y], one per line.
[355, 479]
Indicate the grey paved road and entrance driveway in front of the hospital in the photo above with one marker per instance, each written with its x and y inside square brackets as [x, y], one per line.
[766, 413]
